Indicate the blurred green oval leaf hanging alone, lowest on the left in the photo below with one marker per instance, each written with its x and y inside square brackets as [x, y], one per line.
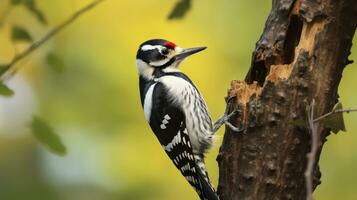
[47, 136]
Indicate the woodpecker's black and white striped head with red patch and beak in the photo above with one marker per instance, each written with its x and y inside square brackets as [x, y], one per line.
[163, 55]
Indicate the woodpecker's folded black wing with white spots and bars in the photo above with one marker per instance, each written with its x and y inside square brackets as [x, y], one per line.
[168, 123]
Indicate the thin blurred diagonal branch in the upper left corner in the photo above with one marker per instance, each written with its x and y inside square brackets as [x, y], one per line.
[45, 38]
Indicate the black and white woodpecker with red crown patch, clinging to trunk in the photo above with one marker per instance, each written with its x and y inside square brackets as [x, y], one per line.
[176, 111]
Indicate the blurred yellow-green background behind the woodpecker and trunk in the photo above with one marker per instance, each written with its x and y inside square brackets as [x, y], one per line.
[91, 99]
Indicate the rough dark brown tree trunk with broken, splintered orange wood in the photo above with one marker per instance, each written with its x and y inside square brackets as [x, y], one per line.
[299, 57]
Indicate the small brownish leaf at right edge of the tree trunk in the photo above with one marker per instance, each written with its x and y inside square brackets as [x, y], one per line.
[335, 121]
